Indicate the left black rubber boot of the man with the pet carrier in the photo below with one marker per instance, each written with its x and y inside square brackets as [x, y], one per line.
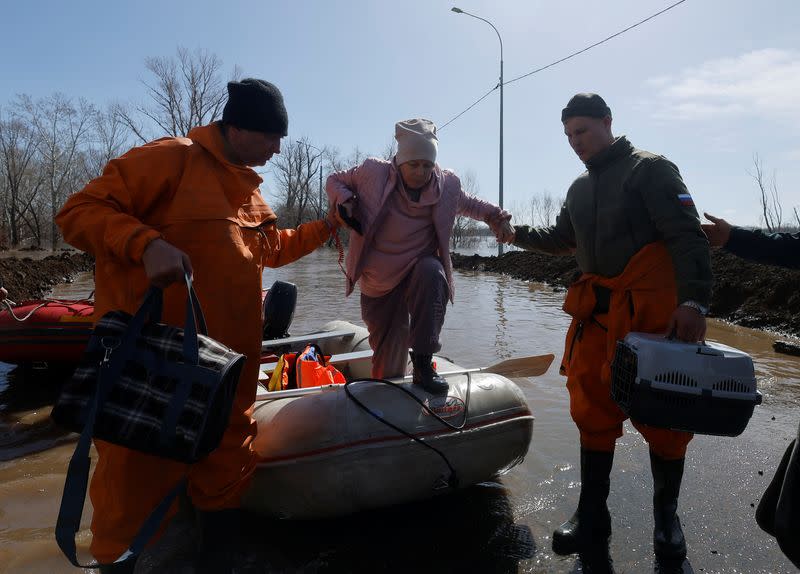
[590, 527]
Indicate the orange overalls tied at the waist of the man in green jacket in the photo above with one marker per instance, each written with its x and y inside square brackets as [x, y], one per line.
[642, 299]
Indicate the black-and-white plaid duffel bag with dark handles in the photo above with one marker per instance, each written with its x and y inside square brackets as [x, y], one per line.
[152, 387]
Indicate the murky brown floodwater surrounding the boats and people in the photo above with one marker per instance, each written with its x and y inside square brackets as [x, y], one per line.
[502, 526]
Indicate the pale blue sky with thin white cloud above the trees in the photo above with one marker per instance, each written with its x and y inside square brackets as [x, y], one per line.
[708, 84]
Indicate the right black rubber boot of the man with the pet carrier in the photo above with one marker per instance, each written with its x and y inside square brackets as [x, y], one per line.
[669, 543]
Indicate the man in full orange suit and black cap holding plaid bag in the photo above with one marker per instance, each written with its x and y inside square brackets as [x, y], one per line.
[189, 204]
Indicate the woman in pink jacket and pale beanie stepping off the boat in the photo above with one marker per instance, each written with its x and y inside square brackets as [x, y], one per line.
[401, 216]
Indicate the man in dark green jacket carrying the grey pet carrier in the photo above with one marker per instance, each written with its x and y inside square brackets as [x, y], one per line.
[645, 264]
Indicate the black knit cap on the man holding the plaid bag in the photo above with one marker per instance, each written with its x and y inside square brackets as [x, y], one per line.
[256, 105]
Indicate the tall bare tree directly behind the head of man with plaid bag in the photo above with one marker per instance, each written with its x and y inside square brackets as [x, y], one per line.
[186, 92]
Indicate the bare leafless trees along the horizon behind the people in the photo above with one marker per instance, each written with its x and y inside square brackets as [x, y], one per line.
[51, 147]
